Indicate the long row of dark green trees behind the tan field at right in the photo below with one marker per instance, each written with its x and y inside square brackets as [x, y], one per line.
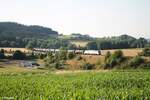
[121, 42]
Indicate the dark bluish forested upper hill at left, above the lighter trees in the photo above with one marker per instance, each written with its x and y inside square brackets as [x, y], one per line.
[13, 30]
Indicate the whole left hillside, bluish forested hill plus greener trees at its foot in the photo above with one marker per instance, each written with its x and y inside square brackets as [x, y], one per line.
[19, 35]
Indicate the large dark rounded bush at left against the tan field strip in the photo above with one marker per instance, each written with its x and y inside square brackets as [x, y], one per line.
[18, 55]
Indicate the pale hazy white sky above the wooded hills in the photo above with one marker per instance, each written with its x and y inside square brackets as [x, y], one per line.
[93, 17]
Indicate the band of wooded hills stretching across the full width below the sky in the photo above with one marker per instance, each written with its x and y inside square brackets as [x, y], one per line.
[19, 35]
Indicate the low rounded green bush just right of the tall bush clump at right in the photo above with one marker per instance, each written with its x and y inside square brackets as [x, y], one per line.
[136, 61]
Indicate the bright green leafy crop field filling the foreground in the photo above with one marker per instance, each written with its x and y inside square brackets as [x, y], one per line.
[118, 85]
